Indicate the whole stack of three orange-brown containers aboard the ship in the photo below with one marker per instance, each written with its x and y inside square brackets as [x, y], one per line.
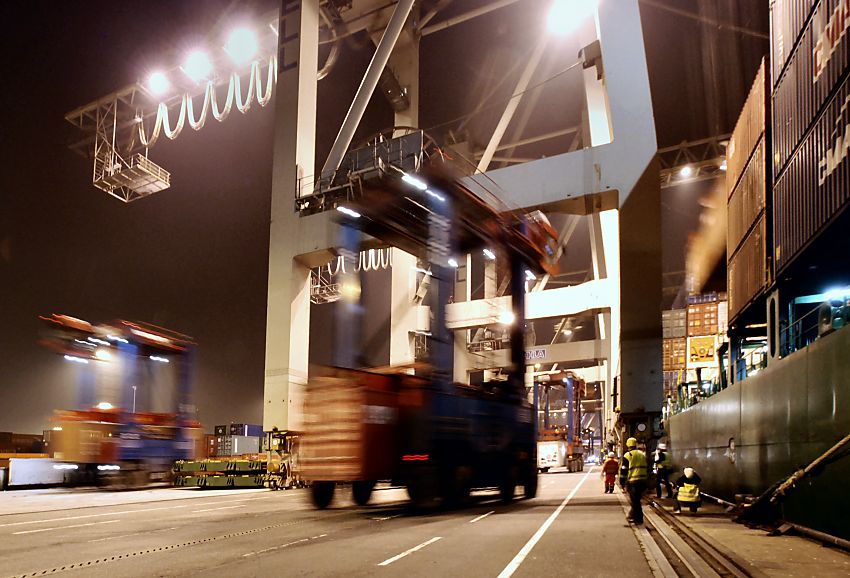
[747, 246]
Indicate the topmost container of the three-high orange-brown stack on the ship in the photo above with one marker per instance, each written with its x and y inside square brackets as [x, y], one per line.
[749, 130]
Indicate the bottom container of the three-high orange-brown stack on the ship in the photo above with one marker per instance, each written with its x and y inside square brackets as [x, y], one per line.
[748, 272]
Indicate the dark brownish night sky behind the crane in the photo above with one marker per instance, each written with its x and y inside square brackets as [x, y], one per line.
[194, 258]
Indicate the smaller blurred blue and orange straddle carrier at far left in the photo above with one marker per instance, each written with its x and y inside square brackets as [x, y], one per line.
[135, 416]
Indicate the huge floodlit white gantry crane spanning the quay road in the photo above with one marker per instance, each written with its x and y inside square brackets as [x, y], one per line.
[599, 169]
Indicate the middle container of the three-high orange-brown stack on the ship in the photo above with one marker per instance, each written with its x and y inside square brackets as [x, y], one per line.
[747, 201]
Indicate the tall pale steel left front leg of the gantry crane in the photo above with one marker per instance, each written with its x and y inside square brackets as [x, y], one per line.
[288, 311]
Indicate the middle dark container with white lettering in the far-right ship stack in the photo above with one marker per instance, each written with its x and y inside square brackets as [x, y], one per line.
[818, 64]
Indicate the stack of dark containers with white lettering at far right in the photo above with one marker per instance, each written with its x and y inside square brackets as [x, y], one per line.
[811, 121]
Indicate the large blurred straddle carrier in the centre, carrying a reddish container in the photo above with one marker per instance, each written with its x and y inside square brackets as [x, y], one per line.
[415, 426]
